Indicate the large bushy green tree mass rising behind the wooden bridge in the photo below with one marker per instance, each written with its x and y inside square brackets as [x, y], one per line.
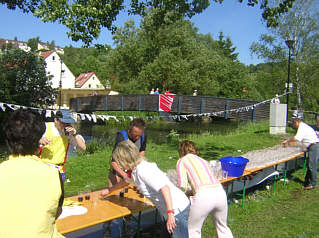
[174, 57]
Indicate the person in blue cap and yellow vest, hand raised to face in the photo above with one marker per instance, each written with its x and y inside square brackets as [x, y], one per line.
[58, 136]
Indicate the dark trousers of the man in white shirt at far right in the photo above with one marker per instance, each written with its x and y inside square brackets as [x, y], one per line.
[312, 163]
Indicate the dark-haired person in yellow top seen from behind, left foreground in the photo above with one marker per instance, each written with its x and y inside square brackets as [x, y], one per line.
[31, 194]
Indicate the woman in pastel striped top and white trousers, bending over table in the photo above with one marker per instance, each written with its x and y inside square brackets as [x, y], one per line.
[209, 195]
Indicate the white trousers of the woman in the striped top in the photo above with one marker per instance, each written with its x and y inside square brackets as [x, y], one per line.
[209, 201]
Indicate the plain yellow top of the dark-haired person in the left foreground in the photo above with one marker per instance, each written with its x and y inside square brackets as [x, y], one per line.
[29, 197]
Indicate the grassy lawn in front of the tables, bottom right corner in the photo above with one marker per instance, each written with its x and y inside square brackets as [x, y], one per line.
[289, 212]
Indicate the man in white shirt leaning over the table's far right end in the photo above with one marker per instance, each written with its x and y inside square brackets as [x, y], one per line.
[310, 141]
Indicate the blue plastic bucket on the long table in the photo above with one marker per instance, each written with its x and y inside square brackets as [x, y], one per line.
[235, 166]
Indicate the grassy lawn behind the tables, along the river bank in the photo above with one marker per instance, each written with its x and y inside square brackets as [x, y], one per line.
[90, 171]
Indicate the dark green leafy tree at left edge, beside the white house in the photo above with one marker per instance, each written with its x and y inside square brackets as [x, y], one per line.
[23, 79]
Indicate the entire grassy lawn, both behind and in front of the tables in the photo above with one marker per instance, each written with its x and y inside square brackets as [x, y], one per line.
[289, 212]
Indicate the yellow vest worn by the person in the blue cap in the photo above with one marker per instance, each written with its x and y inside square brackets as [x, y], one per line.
[56, 151]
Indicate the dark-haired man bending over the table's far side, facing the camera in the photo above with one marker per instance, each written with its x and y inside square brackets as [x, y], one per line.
[136, 134]
